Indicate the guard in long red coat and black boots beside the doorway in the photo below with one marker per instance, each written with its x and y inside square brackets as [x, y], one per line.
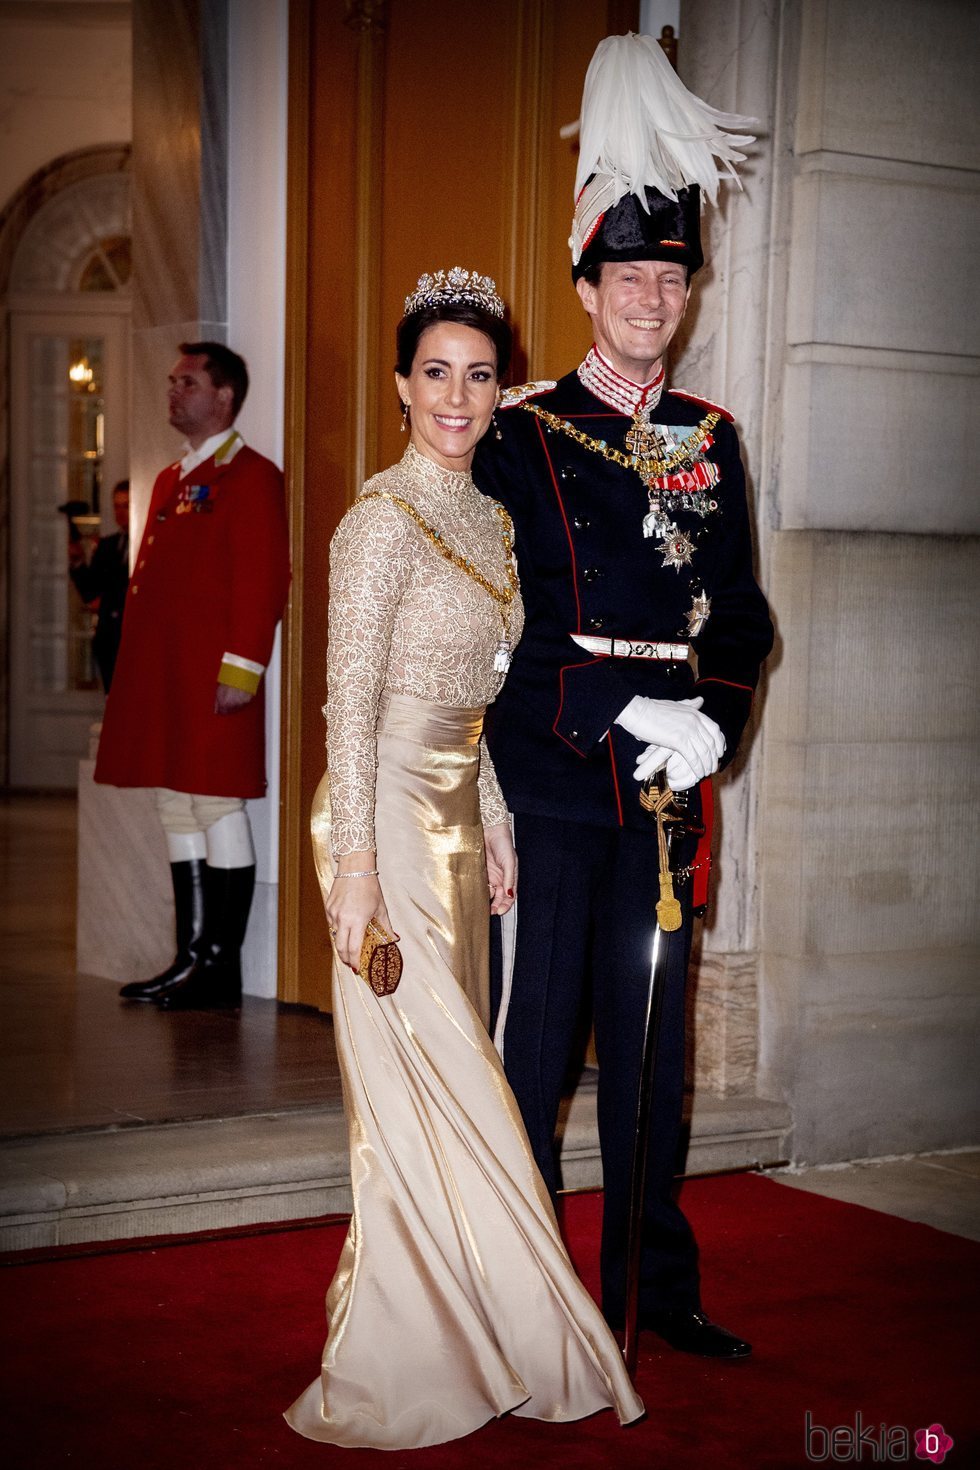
[187, 712]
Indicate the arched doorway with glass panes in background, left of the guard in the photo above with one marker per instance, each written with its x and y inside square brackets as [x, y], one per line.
[68, 443]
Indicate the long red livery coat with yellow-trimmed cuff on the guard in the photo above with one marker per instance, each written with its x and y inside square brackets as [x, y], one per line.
[211, 580]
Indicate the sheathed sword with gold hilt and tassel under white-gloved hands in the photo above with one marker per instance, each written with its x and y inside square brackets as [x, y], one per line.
[668, 811]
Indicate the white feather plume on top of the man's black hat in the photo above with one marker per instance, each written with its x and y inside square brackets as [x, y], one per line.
[641, 126]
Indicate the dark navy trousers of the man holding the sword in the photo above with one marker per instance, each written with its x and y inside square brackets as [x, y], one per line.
[586, 924]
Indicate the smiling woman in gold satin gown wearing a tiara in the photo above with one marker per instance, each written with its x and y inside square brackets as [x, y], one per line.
[455, 1299]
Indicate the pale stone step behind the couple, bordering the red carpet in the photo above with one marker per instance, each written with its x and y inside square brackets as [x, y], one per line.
[174, 1180]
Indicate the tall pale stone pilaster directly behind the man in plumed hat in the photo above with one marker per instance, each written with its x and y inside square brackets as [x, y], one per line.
[728, 57]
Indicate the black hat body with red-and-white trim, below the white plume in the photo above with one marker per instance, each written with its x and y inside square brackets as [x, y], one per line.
[671, 232]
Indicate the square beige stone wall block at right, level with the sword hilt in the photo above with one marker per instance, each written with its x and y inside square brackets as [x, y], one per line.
[882, 855]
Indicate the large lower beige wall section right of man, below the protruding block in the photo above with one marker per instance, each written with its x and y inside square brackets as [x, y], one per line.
[868, 830]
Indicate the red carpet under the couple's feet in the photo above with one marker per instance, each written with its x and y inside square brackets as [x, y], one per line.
[183, 1358]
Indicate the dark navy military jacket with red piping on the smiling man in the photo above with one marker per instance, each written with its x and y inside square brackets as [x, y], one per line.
[586, 567]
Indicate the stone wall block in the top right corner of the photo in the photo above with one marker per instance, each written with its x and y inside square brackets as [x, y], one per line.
[893, 79]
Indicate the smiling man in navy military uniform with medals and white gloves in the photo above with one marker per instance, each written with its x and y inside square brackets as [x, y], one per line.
[634, 551]
